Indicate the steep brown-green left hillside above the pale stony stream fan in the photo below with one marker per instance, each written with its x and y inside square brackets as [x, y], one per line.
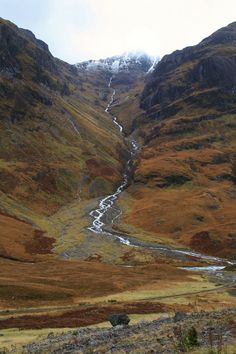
[54, 138]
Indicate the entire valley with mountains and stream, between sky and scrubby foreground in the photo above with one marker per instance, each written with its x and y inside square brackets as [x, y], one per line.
[117, 186]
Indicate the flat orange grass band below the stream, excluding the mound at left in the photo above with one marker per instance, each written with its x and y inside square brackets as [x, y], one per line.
[55, 281]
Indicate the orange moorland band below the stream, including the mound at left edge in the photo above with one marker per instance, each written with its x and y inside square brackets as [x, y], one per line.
[32, 275]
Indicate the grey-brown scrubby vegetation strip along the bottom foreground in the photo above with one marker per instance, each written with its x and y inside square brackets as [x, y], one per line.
[199, 332]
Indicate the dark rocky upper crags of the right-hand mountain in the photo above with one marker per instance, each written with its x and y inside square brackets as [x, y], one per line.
[210, 65]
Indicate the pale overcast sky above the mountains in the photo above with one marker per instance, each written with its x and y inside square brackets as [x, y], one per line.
[78, 30]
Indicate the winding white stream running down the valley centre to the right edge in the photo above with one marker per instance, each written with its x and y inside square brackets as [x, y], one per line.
[106, 207]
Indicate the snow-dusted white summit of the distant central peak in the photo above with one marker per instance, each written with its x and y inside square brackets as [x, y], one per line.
[123, 63]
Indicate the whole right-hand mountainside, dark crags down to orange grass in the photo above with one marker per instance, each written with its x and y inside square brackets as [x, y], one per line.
[184, 185]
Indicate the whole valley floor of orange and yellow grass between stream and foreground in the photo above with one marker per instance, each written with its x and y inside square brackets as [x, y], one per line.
[39, 290]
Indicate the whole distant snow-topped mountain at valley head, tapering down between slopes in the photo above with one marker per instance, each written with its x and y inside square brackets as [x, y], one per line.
[127, 73]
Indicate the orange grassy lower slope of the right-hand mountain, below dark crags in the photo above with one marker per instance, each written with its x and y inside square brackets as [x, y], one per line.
[178, 194]
